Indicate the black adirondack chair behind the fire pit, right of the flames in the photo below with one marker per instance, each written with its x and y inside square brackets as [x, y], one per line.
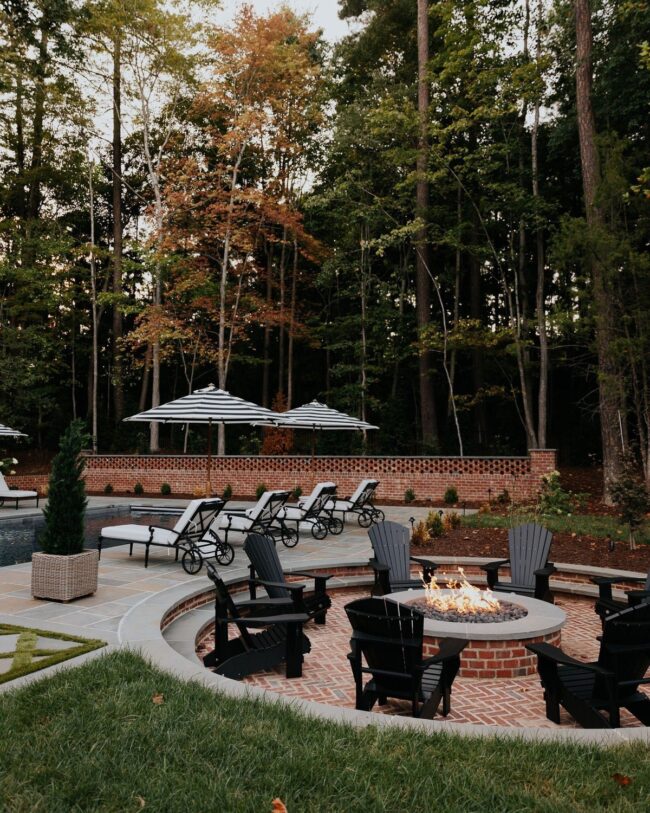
[529, 547]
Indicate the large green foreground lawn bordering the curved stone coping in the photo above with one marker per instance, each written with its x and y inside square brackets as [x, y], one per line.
[94, 739]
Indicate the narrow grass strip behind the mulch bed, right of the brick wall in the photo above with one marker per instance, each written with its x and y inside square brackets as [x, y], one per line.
[581, 524]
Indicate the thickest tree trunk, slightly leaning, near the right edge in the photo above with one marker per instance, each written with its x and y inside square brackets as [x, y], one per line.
[612, 415]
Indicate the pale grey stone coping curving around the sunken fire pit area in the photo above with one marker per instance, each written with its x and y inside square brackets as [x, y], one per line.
[140, 629]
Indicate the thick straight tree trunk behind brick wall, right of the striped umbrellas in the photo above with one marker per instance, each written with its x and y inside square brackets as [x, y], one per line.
[428, 416]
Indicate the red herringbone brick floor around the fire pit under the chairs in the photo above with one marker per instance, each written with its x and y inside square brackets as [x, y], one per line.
[510, 702]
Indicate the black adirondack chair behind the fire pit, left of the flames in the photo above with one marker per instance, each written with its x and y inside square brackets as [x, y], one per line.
[391, 545]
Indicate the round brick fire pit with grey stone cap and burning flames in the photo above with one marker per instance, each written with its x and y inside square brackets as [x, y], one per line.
[497, 647]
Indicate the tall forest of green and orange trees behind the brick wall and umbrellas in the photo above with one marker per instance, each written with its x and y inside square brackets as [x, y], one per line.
[439, 224]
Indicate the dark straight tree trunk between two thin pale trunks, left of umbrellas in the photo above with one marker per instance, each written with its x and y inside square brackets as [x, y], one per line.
[118, 383]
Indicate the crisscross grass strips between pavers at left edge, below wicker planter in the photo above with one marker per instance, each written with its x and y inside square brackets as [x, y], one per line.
[23, 656]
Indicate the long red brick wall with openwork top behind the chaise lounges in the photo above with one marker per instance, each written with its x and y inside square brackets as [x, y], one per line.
[429, 477]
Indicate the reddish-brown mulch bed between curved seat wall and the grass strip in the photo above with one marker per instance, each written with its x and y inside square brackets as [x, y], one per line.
[583, 550]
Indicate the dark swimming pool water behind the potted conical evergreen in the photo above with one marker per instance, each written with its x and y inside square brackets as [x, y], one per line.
[19, 537]
